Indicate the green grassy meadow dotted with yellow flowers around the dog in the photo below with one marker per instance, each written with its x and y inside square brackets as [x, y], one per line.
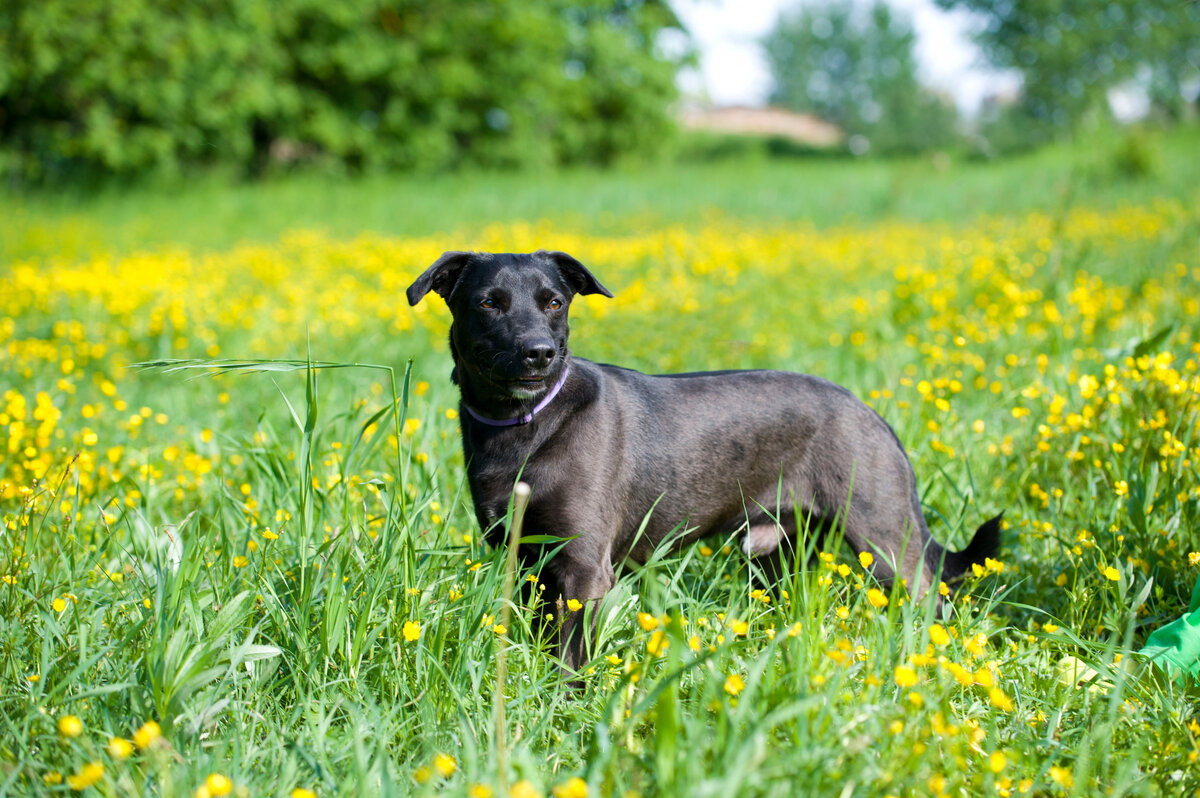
[263, 575]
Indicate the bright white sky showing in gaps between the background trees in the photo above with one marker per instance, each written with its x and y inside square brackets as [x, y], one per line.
[734, 70]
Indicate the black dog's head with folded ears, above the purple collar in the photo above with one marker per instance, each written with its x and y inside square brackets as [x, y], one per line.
[509, 332]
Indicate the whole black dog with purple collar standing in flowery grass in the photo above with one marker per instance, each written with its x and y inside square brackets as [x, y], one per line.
[718, 452]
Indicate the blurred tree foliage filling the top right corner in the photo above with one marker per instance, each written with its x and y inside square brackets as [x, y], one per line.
[1072, 52]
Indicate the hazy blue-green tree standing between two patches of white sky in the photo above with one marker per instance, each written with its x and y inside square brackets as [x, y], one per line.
[854, 65]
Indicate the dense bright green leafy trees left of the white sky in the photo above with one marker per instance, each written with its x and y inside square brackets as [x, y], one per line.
[419, 85]
